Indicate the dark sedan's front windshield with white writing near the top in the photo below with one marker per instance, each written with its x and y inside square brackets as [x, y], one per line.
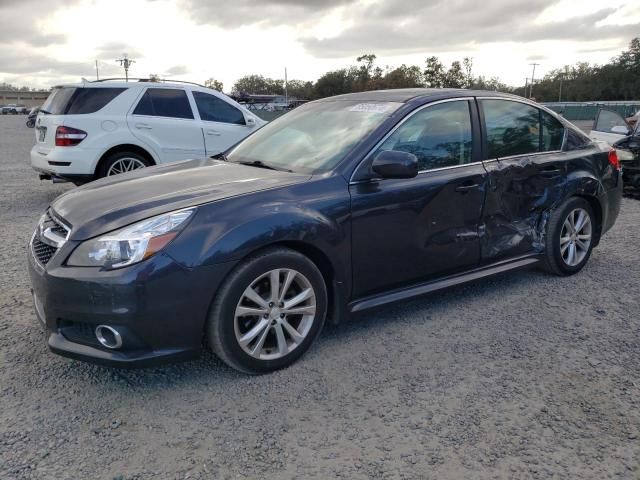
[313, 138]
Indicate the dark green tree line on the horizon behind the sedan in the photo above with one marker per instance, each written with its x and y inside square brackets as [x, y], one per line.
[619, 79]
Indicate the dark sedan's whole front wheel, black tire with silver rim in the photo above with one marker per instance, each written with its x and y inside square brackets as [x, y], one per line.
[231, 315]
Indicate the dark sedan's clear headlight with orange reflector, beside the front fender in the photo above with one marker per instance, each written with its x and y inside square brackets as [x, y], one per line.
[131, 244]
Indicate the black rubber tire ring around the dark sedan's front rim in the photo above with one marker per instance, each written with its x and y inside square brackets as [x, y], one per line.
[222, 316]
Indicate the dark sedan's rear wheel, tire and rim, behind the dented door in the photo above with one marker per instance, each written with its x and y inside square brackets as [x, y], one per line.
[561, 239]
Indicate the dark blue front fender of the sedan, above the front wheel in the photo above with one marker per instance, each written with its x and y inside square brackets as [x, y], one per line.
[315, 213]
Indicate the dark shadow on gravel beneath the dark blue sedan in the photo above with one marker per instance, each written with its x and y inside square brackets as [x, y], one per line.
[209, 372]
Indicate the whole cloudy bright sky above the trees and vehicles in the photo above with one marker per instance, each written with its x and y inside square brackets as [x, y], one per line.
[47, 42]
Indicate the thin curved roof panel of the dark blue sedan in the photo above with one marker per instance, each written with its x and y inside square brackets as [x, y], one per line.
[405, 95]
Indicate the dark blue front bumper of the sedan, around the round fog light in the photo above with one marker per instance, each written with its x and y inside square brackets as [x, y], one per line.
[159, 307]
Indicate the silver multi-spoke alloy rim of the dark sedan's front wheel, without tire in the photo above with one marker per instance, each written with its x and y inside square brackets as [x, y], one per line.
[275, 314]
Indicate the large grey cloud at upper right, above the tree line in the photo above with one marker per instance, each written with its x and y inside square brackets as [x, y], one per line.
[411, 26]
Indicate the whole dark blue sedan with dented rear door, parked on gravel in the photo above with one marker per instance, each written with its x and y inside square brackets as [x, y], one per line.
[341, 205]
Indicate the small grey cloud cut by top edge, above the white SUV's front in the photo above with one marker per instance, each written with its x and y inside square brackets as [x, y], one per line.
[237, 13]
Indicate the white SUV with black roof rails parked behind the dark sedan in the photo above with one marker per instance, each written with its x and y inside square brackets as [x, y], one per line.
[96, 129]
